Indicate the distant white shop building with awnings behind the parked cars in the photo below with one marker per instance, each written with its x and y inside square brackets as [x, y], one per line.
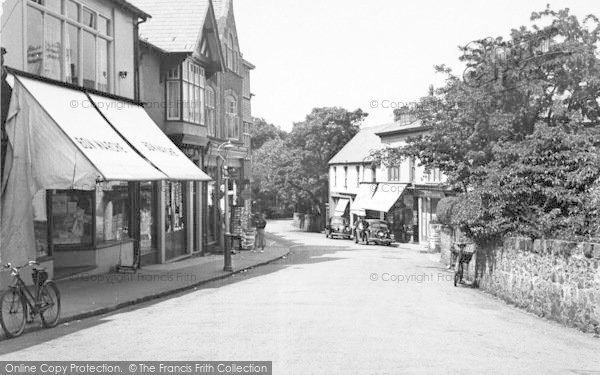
[406, 194]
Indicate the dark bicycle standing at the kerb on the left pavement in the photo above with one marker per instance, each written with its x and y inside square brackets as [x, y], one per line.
[18, 305]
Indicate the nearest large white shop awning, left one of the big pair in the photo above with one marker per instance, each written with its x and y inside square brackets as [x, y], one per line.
[82, 125]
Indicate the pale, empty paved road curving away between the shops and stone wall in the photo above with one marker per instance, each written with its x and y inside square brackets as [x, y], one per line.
[331, 307]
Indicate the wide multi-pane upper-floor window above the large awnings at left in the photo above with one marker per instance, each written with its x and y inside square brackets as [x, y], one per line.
[69, 42]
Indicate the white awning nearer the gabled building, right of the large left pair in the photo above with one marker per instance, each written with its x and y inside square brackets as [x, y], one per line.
[133, 123]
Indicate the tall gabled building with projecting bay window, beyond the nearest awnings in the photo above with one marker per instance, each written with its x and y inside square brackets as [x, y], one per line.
[197, 86]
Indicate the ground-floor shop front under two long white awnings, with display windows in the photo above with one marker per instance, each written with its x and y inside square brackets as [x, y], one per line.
[83, 179]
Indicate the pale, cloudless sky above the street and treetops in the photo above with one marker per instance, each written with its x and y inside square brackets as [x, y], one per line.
[374, 55]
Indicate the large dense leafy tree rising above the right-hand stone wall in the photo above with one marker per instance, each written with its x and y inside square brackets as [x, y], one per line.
[516, 133]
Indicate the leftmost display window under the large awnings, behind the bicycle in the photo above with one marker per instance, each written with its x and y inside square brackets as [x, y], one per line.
[72, 219]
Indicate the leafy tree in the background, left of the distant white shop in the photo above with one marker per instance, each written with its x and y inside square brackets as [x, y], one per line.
[294, 168]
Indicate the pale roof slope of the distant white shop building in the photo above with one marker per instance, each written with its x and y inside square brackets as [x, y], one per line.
[358, 149]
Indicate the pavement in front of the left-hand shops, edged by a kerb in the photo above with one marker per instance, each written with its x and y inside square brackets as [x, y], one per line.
[85, 295]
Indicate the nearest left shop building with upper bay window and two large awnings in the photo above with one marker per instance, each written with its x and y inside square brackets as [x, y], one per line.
[78, 148]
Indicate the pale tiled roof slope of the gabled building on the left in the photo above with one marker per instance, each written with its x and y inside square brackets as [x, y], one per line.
[174, 26]
